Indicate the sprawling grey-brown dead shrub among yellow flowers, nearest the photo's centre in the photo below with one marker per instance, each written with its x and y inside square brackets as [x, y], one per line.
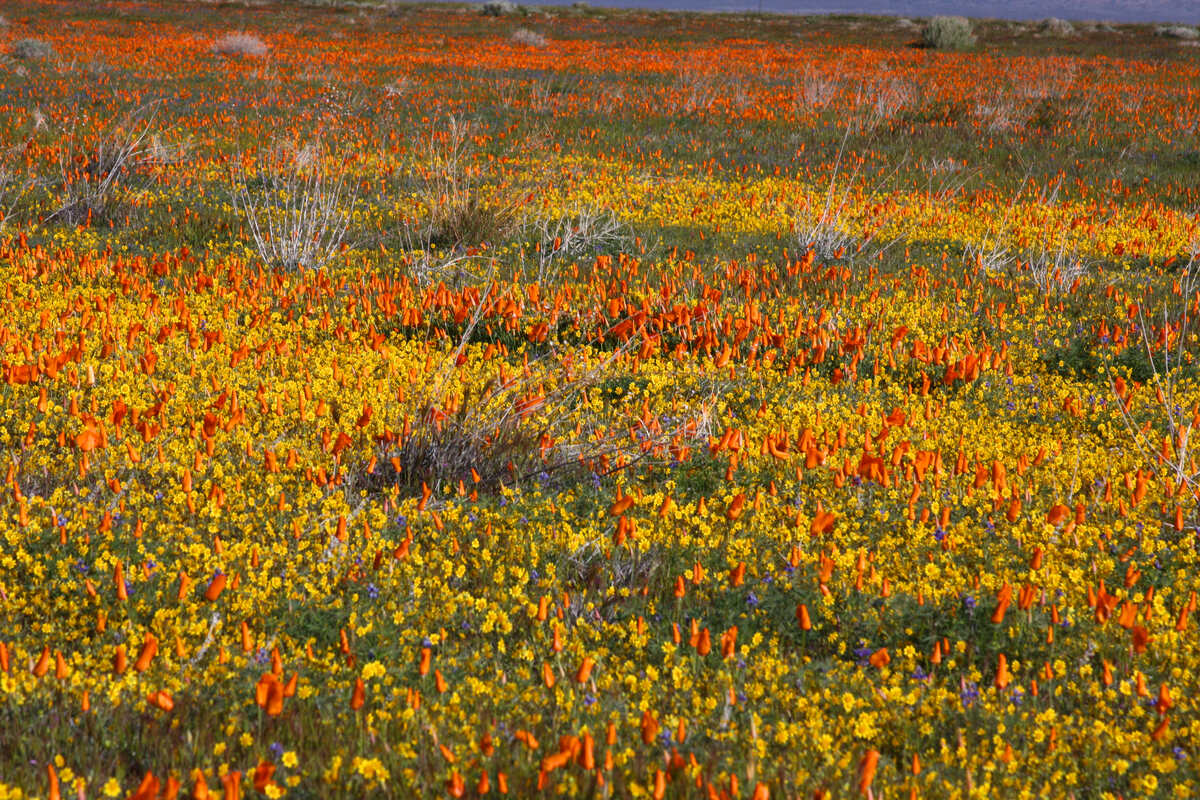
[536, 424]
